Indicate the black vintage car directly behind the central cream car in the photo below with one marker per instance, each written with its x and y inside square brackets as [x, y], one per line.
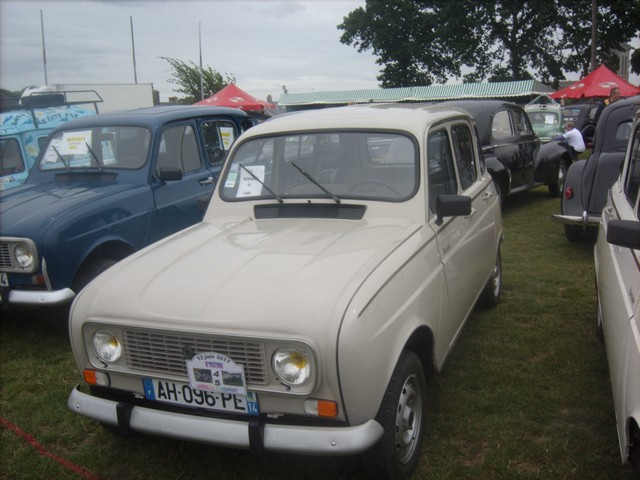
[512, 151]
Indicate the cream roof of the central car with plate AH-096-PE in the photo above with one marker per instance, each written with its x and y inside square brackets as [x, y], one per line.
[412, 117]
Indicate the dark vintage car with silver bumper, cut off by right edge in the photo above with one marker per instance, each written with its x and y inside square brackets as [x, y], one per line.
[588, 181]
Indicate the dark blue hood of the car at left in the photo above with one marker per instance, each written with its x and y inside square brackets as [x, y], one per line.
[29, 209]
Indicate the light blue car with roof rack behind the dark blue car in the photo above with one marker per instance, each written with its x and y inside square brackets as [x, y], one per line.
[24, 129]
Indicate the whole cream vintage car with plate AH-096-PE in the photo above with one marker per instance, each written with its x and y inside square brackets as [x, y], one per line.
[341, 254]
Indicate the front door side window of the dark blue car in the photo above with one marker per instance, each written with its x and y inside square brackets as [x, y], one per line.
[178, 150]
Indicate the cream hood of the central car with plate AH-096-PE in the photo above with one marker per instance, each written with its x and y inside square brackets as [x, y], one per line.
[275, 275]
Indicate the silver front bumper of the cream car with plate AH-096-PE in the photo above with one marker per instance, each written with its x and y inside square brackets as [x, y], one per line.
[252, 434]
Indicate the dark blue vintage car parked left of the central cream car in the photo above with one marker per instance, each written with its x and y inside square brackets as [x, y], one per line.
[104, 187]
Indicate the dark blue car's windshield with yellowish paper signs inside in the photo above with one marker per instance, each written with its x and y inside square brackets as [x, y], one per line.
[101, 147]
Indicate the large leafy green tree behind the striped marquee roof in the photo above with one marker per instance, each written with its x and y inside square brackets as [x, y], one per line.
[419, 42]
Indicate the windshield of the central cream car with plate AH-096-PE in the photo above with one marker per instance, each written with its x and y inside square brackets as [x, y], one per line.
[362, 165]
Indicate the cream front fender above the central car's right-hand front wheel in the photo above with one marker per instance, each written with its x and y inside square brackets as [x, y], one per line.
[398, 299]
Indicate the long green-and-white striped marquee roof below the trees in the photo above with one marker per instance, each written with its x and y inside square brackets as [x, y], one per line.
[418, 94]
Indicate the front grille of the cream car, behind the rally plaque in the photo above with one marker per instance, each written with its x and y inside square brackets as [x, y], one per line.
[163, 353]
